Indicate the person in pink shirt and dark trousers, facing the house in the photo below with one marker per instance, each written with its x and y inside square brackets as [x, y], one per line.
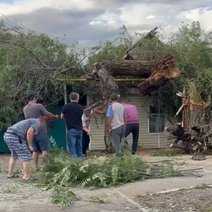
[131, 118]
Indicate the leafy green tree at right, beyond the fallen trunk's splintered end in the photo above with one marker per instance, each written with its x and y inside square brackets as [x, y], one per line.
[192, 48]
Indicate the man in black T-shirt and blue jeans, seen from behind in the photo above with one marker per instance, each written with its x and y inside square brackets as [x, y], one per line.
[72, 113]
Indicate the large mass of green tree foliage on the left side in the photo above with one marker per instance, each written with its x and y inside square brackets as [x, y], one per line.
[30, 61]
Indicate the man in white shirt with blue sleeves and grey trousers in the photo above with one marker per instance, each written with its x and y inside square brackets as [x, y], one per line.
[115, 122]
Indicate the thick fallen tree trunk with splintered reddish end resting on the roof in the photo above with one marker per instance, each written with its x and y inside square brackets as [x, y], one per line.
[156, 72]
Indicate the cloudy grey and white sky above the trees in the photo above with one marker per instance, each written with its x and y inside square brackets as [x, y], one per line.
[89, 22]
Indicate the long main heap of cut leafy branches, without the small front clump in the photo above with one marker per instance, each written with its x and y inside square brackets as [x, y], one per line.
[98, 172]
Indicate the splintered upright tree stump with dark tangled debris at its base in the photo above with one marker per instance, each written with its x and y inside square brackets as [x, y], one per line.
[194, 134]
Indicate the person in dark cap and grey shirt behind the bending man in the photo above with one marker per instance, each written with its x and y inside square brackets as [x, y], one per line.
[41, 142]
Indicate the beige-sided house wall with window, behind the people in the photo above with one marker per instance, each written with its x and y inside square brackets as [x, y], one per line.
[152, 124]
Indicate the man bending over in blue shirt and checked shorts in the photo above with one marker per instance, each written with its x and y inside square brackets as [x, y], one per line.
[19, 139]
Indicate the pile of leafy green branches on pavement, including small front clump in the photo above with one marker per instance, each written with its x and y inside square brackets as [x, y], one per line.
[61, 172]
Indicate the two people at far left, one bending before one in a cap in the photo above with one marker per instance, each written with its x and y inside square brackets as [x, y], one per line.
[28, 138]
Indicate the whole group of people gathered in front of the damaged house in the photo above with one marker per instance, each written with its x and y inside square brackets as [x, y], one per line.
[29, 138]
